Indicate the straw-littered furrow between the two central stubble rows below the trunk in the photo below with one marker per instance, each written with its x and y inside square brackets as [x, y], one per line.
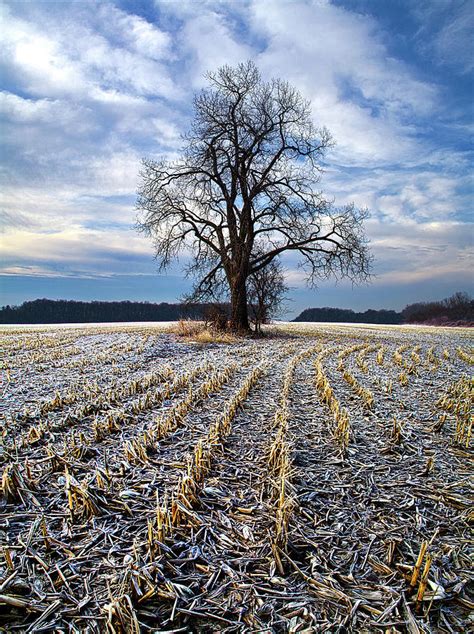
[232, 544]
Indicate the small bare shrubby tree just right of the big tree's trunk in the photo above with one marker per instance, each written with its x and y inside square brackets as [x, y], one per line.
[266, 291]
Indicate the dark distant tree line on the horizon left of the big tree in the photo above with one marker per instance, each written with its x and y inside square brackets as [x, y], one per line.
[48, 311]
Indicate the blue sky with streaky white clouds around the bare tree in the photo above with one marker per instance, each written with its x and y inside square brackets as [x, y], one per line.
[90, 88]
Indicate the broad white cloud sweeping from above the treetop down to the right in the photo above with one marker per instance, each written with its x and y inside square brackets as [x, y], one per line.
[336, 58]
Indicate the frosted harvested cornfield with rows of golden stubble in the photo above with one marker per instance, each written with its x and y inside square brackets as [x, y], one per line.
[319, 480]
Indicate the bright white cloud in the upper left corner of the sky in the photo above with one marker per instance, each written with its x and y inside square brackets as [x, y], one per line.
[68, 57]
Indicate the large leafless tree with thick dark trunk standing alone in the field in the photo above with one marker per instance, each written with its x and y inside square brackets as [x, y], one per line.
[244, 191]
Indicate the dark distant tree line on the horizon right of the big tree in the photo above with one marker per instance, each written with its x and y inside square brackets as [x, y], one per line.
[457, 308]
